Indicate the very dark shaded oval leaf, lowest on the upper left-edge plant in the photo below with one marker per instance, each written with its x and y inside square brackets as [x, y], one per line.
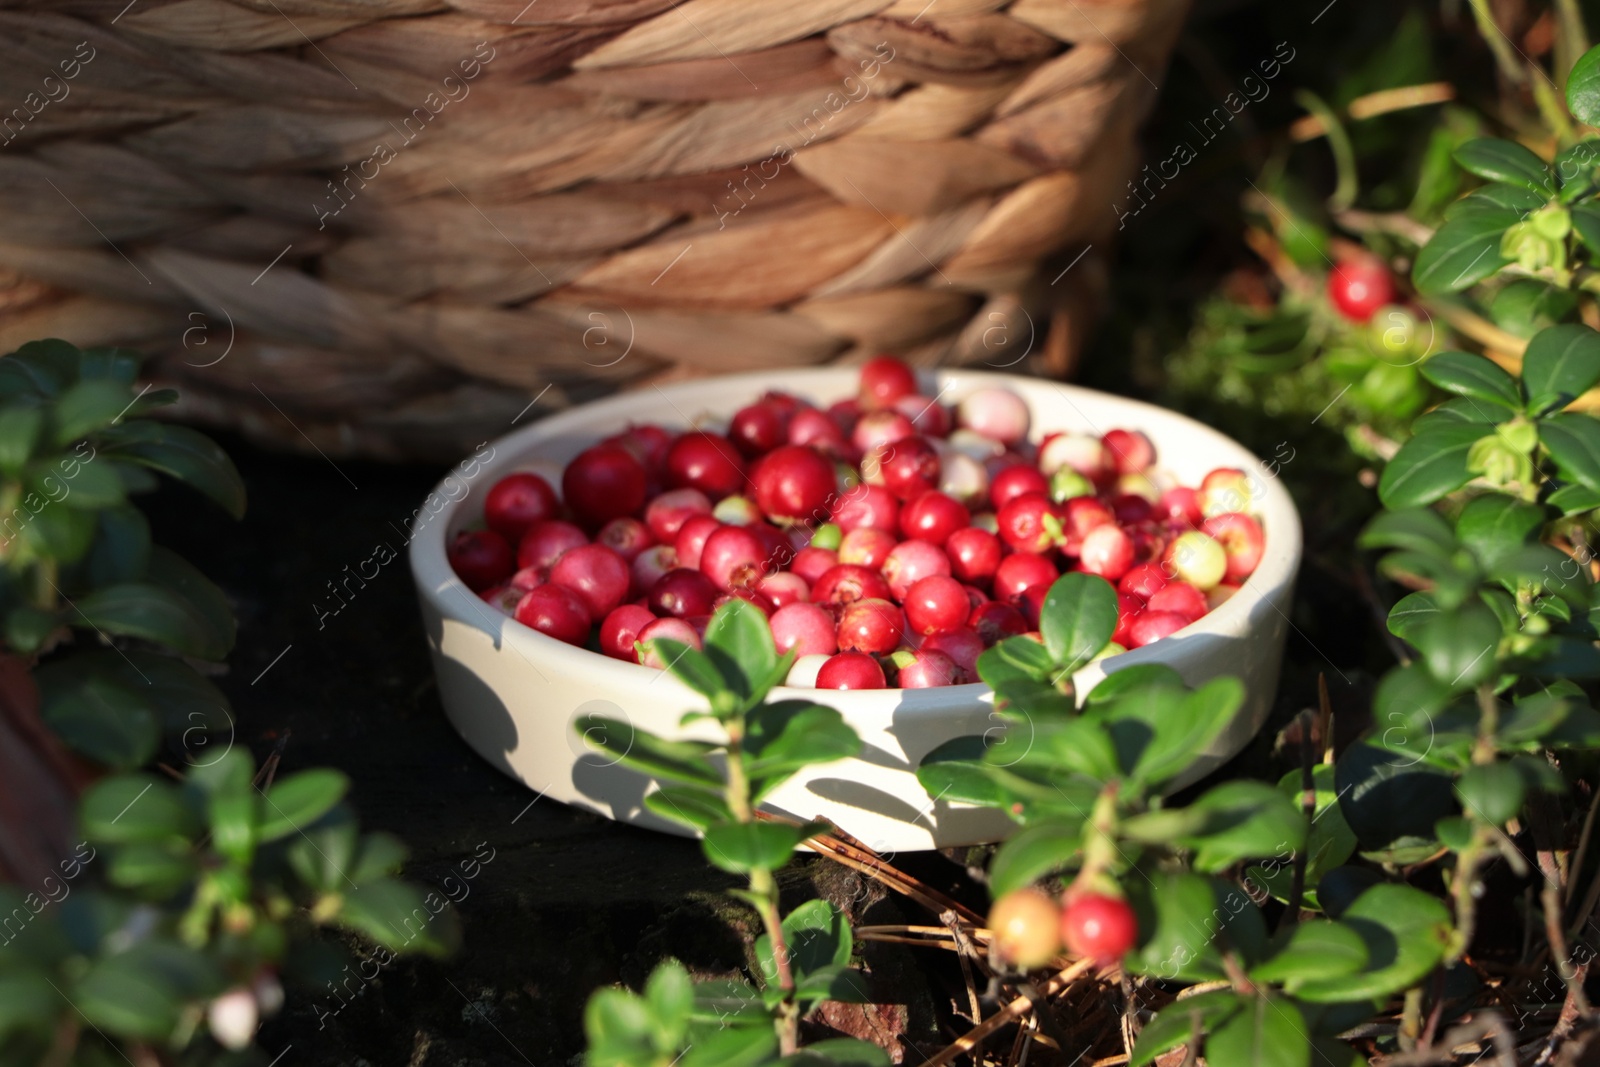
[102, 719]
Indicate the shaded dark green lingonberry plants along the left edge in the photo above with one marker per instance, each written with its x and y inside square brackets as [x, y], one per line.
[201, 889]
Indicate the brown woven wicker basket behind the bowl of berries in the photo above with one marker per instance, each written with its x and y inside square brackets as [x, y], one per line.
[386, 226]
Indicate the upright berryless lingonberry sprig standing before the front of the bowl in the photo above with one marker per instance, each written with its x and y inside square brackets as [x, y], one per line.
[804, 957]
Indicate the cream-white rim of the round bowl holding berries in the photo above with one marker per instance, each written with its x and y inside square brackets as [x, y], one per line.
[513, 452]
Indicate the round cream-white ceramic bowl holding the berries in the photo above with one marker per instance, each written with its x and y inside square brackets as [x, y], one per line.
[514, 693]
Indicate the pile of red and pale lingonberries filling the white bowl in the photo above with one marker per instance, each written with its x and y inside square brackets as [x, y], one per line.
[886, 537]
